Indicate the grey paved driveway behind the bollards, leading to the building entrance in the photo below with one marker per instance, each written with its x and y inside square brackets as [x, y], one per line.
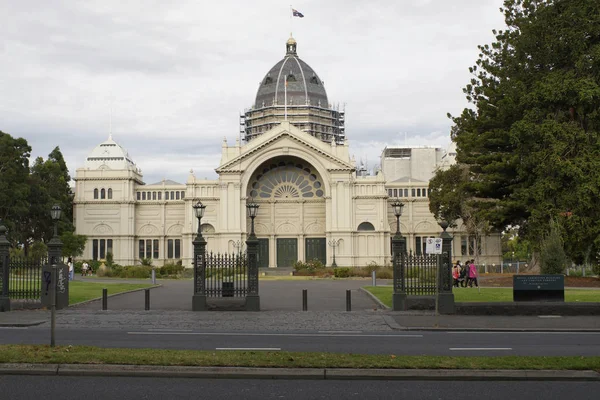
[323, 295]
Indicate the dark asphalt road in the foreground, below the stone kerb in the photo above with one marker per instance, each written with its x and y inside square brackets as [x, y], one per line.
[66, 388]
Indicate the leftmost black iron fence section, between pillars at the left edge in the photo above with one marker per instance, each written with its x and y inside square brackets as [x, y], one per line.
[25, 278]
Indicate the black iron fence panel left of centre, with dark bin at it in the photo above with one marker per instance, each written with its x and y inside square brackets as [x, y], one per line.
[226, 275]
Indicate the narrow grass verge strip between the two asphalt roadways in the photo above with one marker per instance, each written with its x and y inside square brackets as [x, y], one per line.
[95, 355]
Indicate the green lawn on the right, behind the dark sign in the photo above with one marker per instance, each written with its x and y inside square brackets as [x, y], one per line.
[384, 293]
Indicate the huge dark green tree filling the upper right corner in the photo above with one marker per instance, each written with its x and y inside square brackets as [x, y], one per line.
[532, 136]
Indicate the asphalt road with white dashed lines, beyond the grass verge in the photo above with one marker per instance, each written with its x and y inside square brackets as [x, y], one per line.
[399, 343]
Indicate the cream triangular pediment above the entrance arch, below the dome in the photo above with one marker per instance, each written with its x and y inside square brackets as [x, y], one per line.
[285, 136]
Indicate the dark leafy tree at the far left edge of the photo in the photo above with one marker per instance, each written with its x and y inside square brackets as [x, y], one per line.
[14, 190]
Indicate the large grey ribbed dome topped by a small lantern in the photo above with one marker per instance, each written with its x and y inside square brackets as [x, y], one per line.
[304, 87]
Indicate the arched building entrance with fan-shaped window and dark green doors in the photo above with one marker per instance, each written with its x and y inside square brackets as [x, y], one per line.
[291, 220]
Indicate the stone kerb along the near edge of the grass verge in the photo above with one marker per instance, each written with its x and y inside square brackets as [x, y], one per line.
[295, 373]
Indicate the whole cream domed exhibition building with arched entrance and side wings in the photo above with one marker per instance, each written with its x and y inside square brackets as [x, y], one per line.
[294, 162]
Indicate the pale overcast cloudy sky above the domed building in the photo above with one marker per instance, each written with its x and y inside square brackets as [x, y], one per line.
[169, 79]
